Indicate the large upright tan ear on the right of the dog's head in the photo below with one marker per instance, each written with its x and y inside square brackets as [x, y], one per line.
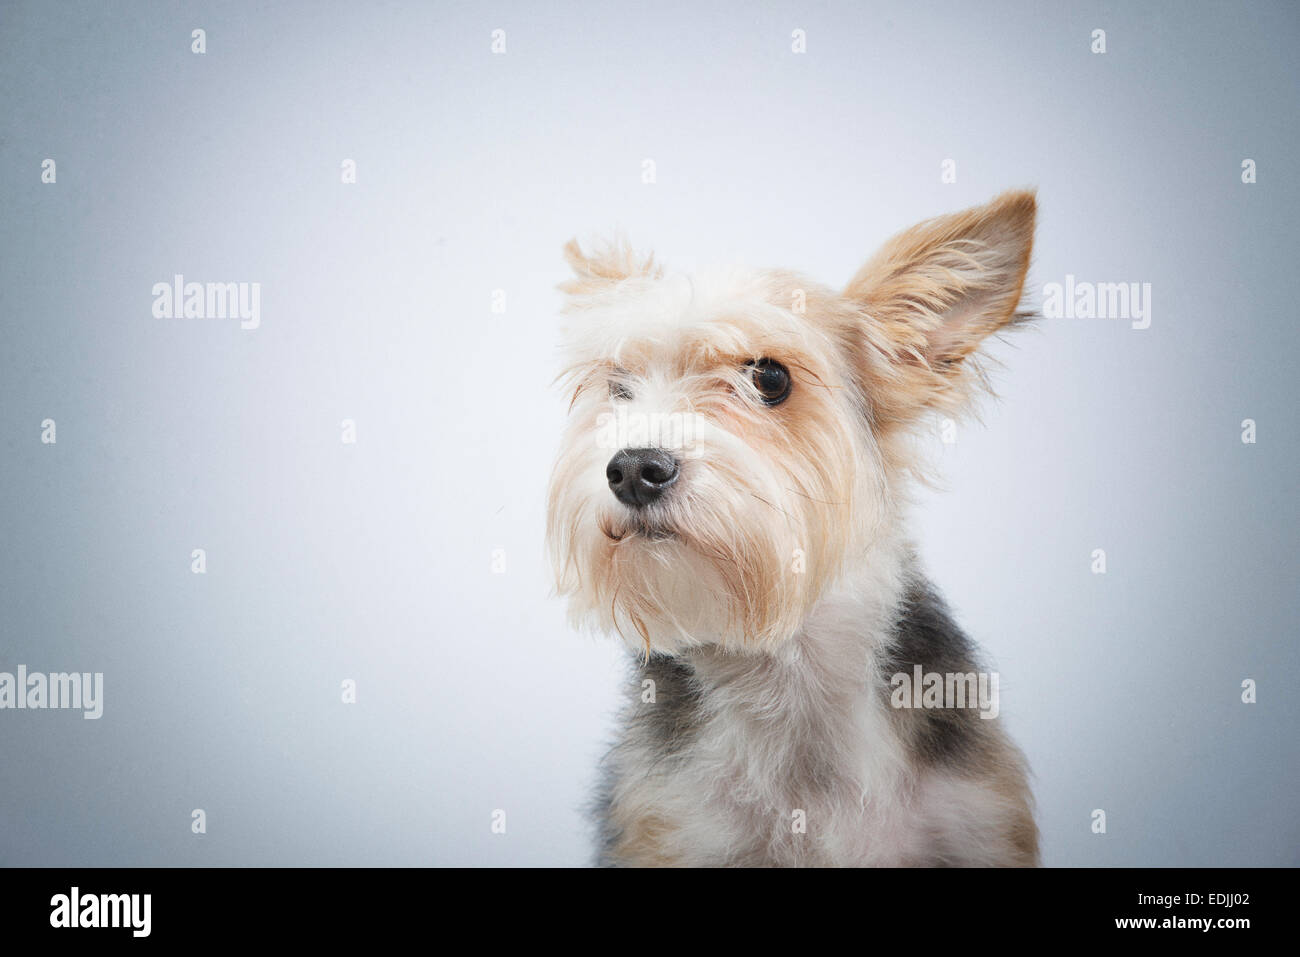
[933, 295]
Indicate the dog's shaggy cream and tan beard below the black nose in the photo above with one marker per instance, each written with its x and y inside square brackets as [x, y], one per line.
[735, 555]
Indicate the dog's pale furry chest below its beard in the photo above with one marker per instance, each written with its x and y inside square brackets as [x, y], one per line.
[782, 761]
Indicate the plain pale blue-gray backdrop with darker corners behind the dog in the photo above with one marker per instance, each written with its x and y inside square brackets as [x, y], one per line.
[372, 562]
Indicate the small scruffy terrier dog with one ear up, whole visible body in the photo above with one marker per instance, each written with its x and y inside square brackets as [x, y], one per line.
[730, 500]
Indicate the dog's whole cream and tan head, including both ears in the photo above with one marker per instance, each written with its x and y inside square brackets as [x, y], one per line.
[736, 439]
